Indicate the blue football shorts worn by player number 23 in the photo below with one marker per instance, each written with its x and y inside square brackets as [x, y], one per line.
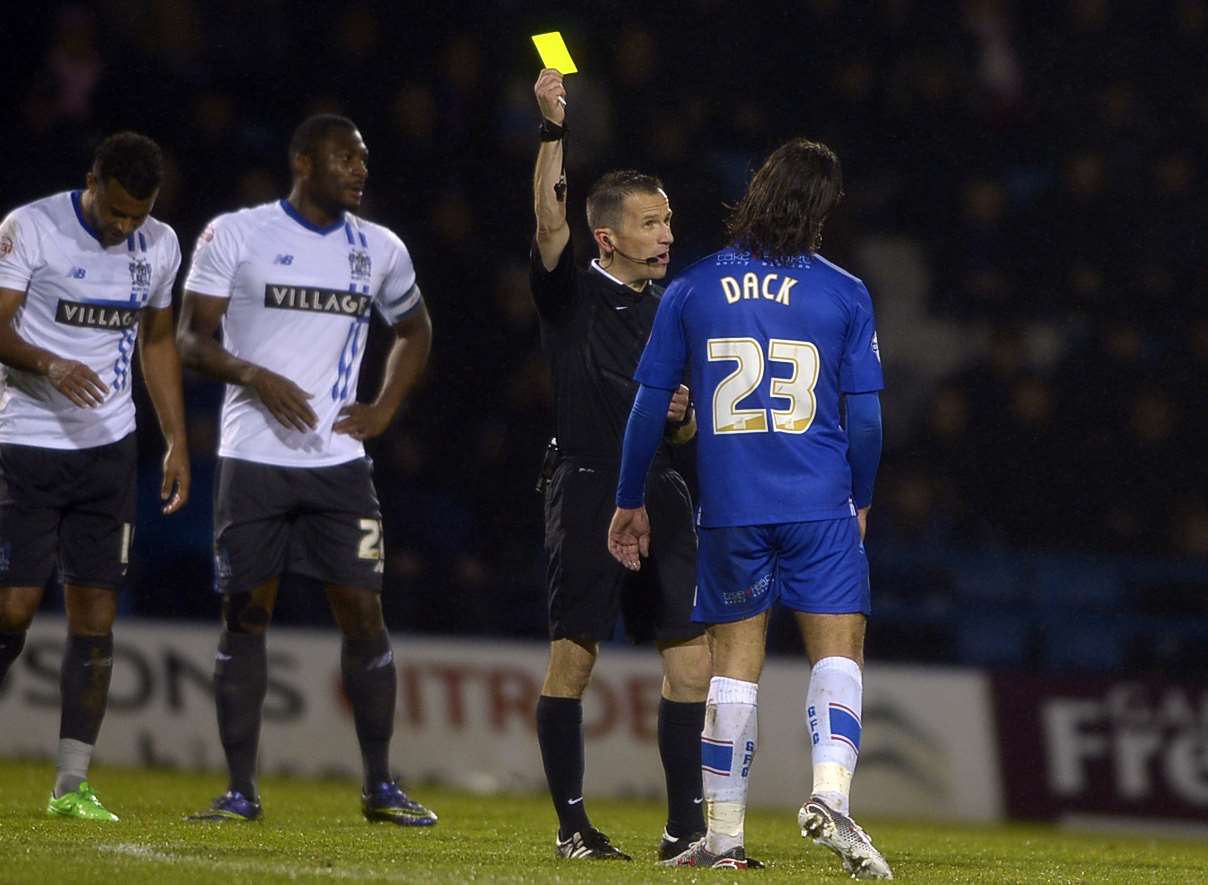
[817, 567]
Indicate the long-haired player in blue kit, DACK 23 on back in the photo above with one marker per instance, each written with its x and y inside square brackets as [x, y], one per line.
[782, 350]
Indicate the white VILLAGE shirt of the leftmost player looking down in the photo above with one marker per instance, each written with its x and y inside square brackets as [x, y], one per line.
[83, 302]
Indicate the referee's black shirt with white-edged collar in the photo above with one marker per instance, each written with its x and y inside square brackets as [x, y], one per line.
[594, 331]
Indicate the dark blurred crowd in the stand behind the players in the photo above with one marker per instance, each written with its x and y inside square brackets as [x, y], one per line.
[1025, 197]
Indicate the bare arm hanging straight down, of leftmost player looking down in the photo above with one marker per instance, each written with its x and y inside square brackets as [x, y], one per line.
[161, 371]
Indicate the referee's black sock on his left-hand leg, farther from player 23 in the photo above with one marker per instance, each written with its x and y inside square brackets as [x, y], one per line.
[560, 733]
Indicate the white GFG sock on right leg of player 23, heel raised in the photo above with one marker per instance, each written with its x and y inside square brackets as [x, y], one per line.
[833, 709]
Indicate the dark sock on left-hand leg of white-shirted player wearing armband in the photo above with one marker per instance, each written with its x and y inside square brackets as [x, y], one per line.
[241, 682]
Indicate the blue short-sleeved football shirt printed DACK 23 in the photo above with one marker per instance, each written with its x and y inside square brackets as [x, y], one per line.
[771, 348]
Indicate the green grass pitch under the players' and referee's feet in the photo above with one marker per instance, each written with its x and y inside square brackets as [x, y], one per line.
[313, 834]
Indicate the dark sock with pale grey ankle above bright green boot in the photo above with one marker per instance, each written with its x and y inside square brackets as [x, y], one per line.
[84, 685]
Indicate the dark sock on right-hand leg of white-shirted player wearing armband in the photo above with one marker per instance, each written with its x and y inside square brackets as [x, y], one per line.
[373, 686]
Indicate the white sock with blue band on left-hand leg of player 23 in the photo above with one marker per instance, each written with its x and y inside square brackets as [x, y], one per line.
[728, 748]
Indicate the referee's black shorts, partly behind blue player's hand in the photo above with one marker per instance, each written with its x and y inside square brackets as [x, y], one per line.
[588, 589]
